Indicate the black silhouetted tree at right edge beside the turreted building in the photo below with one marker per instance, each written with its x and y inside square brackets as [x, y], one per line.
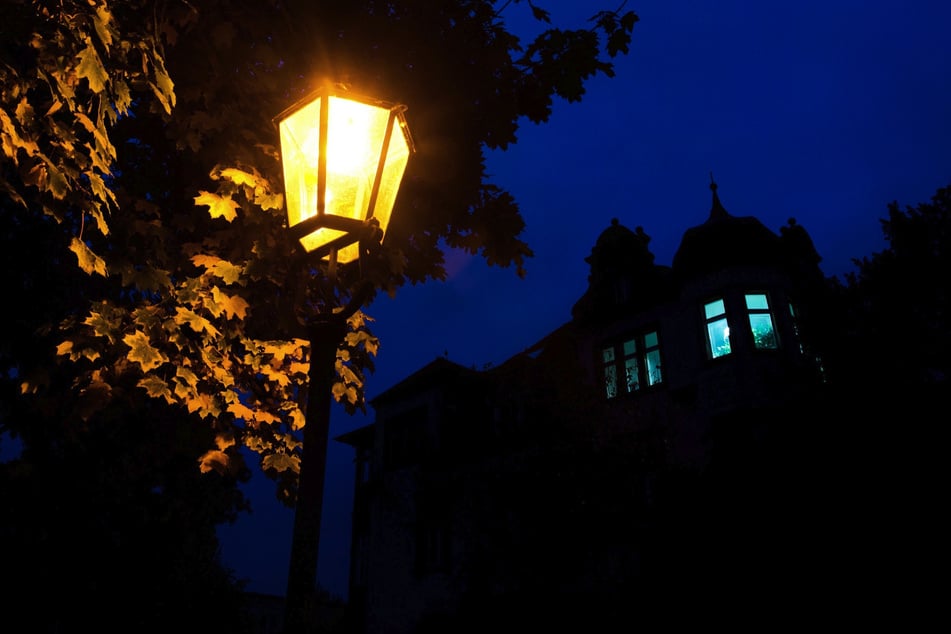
[888, 365]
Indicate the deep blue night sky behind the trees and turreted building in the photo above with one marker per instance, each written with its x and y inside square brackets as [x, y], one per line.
[821, 111]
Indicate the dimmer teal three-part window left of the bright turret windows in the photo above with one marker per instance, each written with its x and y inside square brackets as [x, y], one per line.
[631, 364]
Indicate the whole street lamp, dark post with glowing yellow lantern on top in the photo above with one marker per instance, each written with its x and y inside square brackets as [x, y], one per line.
[343, 159]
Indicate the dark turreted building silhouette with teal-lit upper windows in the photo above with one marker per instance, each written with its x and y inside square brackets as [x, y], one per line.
[653, 451]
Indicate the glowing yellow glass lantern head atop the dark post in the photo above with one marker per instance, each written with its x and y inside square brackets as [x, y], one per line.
[356, 151]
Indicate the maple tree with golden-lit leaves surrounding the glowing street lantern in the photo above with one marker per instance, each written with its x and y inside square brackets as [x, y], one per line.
[139, 135]
